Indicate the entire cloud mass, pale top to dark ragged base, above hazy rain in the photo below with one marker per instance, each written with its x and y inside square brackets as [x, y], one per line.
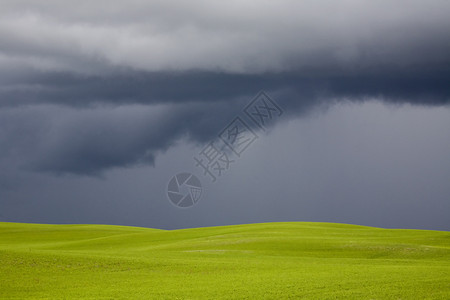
[107, 85]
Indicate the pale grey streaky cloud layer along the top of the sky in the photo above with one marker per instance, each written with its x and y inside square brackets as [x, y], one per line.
[257, 36]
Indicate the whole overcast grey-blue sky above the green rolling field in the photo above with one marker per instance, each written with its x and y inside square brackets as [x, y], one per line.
[102, 102]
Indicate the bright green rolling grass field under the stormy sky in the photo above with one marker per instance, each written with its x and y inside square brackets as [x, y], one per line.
[257, 261]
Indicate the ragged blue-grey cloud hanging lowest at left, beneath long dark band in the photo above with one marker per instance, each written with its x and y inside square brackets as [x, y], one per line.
[89, 141]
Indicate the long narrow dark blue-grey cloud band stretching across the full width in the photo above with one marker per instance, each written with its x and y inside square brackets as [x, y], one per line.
[418, 84]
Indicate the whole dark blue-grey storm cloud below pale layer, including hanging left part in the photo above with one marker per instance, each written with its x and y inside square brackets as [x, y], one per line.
[89, 124]
